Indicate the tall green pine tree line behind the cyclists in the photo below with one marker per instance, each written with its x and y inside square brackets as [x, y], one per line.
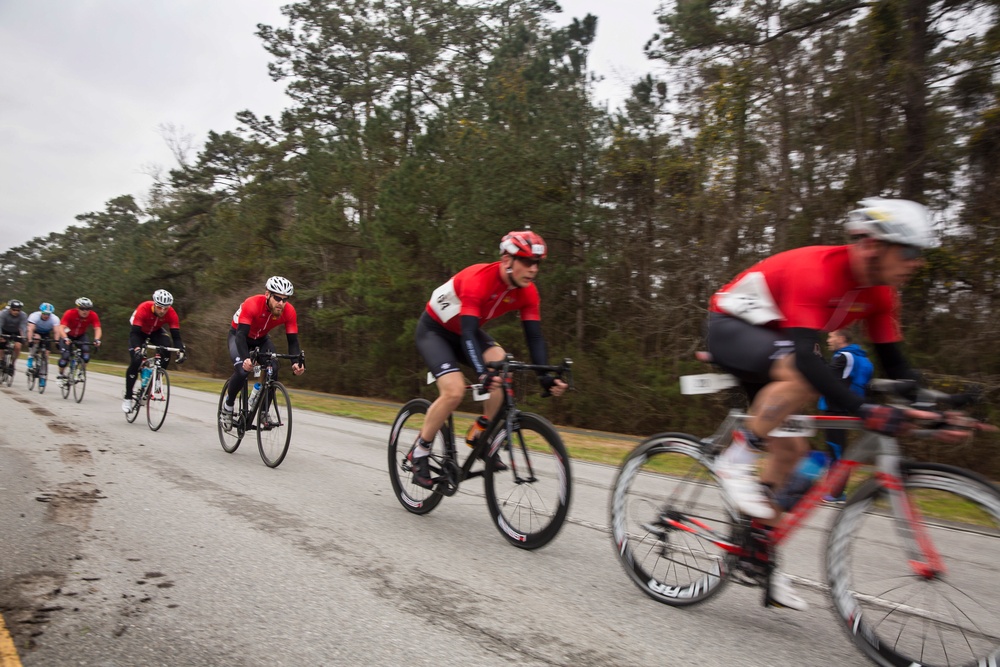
[419, 132]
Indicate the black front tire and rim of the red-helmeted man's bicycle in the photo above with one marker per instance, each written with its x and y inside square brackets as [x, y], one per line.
[515, 534]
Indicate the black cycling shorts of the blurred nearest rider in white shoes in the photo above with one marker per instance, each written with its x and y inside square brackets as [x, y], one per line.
[746, 350]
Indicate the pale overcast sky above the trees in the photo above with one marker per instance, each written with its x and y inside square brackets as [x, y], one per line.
[86, 87]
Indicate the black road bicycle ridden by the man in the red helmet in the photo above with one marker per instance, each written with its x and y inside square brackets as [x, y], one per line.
[528, 501]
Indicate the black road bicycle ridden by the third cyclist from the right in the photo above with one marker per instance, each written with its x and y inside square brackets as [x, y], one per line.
[270, 414]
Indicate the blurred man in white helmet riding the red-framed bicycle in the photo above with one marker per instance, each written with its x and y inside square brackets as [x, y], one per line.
[765, 328]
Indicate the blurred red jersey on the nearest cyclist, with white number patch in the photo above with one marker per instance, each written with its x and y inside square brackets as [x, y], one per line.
[810, 288]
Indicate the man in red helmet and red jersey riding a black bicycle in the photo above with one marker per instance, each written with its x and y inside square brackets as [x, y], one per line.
[450, 330]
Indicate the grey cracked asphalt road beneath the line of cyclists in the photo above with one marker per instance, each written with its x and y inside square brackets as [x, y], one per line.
[120, 546]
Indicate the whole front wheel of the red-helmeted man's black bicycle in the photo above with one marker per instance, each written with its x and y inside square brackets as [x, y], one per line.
[529, 501]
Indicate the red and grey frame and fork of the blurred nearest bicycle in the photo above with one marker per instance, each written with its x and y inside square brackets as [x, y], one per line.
[884, 451]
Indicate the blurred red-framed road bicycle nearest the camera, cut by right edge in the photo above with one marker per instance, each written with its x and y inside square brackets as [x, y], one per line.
[910, 559]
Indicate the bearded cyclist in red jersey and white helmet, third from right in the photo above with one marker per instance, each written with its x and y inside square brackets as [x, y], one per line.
[251, 323]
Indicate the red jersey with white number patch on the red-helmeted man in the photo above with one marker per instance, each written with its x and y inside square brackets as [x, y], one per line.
[479, 291]
